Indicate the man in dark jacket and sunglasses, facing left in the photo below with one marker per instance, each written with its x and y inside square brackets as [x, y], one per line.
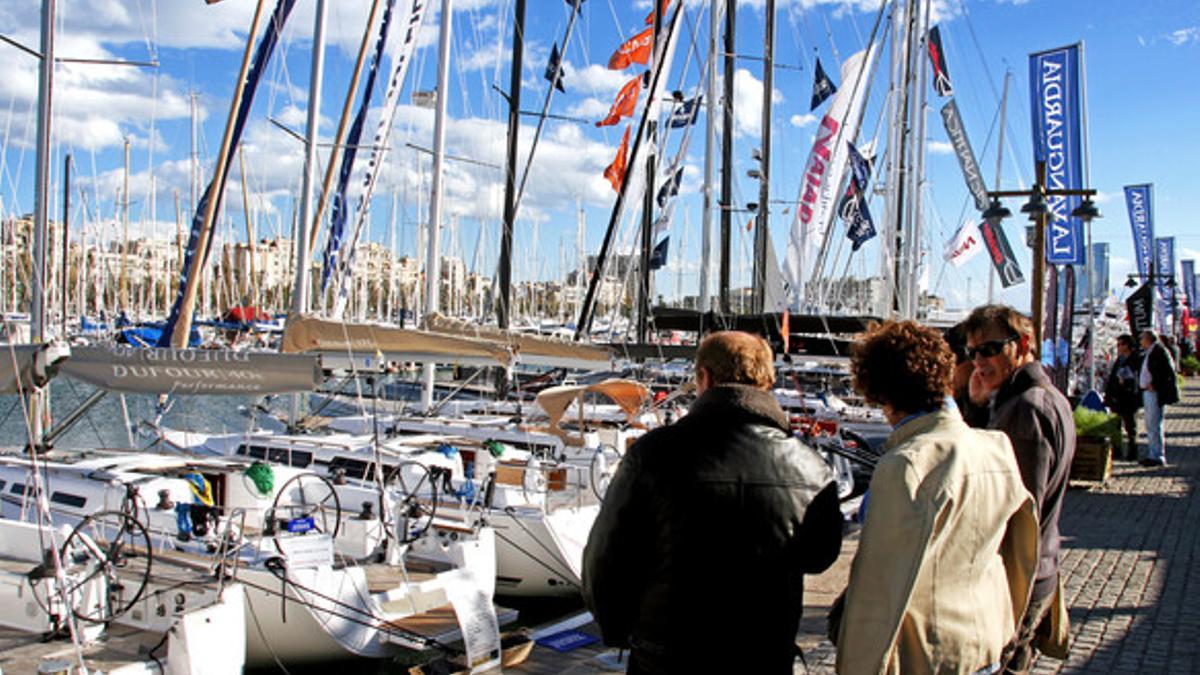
[1037, 419]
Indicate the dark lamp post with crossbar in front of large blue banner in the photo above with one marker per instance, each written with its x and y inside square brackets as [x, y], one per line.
[1039, 212]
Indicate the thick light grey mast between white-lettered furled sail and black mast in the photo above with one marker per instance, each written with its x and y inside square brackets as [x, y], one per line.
[433, 261]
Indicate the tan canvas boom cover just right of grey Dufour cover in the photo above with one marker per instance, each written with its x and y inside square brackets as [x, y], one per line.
[310, 334]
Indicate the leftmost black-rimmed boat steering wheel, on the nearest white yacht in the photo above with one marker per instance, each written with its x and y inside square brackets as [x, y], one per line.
[106, 561]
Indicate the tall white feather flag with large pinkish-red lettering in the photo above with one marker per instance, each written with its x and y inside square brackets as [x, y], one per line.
[824, 172]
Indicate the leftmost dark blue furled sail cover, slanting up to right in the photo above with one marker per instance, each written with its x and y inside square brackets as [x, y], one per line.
[262, 57]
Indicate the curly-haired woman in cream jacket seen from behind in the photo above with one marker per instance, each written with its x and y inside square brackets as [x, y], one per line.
[950, 547]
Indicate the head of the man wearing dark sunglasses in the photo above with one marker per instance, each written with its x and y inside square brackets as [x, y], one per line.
[1000, 341]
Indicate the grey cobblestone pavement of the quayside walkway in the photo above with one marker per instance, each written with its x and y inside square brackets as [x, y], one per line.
[1131, 565]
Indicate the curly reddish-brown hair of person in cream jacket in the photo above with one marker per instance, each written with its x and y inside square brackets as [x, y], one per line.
[904, 366]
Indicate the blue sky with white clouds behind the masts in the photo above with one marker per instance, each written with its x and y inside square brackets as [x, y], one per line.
[1143, 79]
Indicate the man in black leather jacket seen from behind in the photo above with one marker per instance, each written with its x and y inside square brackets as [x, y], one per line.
[698, 559]
